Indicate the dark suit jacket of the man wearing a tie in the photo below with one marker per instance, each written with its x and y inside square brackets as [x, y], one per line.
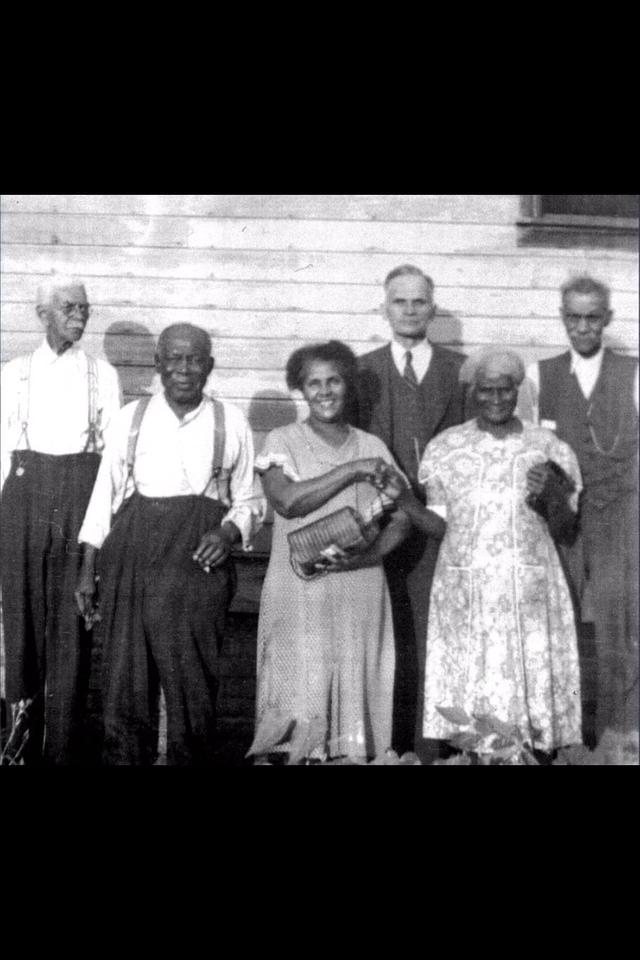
[447, 395]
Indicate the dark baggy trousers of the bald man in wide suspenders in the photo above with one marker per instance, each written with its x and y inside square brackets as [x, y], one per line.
[163, 619]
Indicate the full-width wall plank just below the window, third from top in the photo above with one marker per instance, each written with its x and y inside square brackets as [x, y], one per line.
[251, 266]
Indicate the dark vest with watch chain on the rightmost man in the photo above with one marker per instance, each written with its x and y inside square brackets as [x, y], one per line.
[602, 430]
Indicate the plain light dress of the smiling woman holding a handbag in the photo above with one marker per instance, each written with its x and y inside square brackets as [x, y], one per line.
[325, 646]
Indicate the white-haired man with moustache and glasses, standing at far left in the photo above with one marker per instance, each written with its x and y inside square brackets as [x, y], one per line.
[56, 404]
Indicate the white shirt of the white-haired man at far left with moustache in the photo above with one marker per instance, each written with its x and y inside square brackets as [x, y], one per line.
[58, 403]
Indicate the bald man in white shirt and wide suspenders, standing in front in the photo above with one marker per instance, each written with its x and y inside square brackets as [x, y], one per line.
[178, 476]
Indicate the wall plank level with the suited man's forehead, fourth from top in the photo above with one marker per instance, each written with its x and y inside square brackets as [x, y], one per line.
[359, 299]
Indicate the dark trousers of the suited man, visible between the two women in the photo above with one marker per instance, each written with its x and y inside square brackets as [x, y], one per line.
[409, 571]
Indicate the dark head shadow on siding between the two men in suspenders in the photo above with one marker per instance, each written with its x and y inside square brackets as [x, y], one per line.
[131, 348]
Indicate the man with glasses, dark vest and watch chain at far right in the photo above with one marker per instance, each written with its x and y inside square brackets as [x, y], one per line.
[589, 397]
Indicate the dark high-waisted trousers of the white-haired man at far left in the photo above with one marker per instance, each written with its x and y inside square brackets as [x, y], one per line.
[48, 651]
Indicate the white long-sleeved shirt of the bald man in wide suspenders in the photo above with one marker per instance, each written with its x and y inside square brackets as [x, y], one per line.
[174, 458]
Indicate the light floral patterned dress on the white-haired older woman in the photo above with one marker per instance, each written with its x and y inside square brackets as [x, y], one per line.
[501, 635]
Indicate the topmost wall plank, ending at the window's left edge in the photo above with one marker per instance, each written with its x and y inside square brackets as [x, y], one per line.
[484, 208]
